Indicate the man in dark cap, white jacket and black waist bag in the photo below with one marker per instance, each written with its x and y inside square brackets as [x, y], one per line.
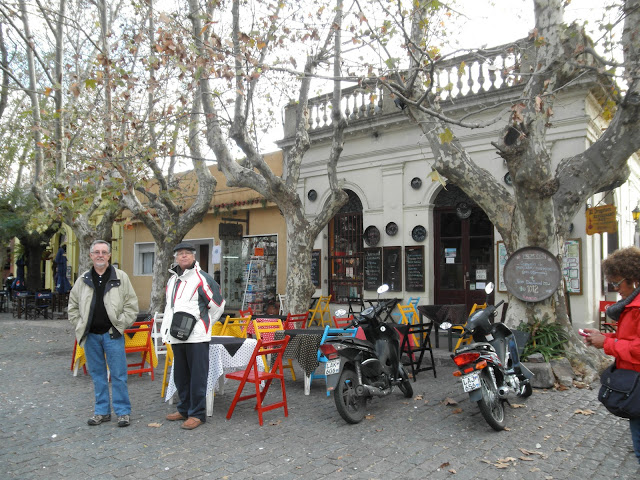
[194, 304]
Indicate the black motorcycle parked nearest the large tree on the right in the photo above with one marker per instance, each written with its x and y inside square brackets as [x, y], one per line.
[489, 367]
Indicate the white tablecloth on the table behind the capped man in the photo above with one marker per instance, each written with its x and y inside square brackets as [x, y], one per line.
[221, 362]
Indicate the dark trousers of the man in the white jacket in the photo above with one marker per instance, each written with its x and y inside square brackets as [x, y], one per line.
[190, 372]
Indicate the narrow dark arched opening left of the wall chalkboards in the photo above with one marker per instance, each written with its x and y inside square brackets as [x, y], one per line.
[345, 251]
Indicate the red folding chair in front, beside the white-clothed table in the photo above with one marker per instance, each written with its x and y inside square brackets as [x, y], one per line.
[253, 375]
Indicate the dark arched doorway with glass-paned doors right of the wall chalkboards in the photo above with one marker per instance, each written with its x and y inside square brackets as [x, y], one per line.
[463, 249]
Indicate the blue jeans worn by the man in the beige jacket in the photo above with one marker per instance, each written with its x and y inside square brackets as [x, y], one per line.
[95, 349]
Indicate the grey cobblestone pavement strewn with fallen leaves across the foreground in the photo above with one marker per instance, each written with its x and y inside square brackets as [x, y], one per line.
[44, 409]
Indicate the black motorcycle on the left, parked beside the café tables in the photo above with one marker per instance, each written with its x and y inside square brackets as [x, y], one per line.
[358, 370]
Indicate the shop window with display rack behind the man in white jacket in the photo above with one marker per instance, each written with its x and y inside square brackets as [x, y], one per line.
[249, 272]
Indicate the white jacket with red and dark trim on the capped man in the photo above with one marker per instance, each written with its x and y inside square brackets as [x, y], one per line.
[192, 291]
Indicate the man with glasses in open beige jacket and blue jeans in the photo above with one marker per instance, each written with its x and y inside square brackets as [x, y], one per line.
[102, 304]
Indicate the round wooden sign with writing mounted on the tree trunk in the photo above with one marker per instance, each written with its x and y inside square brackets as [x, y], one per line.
[532, 274]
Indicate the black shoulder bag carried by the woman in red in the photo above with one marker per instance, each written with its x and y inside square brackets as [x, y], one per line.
[620, 391]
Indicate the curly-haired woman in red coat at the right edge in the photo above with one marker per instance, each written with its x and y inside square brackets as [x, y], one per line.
[622, 270]
